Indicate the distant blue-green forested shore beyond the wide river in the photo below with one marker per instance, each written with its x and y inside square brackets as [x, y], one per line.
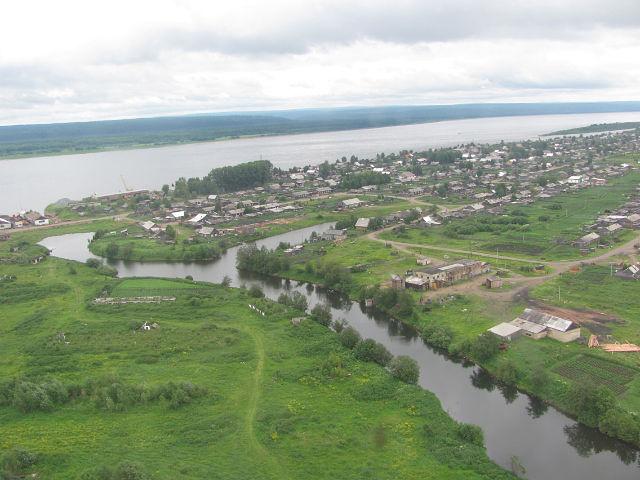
[64, 138]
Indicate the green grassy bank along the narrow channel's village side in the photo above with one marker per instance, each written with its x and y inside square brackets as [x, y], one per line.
[457, 323]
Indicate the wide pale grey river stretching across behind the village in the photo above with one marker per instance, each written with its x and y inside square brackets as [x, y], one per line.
[33, 183]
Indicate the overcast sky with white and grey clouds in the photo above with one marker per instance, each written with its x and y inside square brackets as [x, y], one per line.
[69, 60]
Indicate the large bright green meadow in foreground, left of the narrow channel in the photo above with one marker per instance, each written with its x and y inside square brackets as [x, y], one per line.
[279, 401]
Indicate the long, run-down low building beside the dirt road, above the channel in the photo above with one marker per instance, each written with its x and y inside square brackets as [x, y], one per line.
[432, 278]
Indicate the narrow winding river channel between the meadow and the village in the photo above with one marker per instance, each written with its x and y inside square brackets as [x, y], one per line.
[548, 444]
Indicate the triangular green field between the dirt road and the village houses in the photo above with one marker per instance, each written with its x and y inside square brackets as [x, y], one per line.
[552, 224]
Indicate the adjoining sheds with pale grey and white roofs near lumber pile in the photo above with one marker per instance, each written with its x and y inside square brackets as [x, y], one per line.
[537, 324]
